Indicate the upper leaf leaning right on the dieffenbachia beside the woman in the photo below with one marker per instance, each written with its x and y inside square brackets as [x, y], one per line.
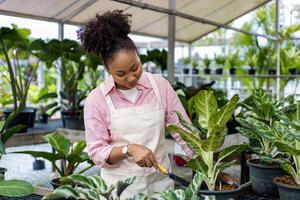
[218, 120]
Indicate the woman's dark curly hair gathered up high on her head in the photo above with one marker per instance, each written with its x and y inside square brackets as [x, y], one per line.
[107, 34]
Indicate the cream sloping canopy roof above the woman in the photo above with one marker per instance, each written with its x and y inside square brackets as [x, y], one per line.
[146, 21]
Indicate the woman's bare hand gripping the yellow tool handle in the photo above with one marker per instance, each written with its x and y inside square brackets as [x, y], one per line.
[142, 155]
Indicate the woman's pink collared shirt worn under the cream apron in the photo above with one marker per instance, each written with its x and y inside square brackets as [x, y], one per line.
[97, 114]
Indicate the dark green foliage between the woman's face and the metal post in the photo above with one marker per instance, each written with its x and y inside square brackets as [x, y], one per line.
[156, 56]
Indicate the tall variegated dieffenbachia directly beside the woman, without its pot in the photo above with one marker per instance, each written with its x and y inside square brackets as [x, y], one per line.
[210, 137]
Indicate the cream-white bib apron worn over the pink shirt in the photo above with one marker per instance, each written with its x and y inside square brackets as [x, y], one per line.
[143, 125]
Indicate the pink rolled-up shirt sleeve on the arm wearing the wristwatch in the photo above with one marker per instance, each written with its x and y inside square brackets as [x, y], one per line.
[97, 135]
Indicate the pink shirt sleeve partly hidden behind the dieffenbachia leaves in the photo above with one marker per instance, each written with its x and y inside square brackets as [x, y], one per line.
[174, 104]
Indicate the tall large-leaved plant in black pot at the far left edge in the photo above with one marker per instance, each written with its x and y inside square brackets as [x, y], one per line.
[21, 65]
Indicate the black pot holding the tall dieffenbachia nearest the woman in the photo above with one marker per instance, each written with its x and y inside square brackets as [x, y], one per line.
[220, 195]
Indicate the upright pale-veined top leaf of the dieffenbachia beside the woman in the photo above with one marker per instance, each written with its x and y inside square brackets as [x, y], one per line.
[206, 105]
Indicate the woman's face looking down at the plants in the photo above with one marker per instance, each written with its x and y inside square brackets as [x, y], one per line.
[126, 69]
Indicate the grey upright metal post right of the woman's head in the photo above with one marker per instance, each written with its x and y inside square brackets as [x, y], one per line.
[171, 41]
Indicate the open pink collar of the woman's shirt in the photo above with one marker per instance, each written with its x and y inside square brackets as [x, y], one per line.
[109, 83]
